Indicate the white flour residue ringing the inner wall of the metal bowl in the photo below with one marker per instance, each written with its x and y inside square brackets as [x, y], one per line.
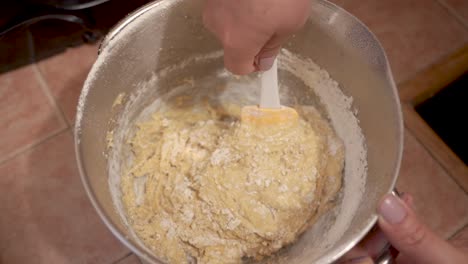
[337, 105]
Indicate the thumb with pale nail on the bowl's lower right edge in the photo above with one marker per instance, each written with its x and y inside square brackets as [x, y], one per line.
[410, 236]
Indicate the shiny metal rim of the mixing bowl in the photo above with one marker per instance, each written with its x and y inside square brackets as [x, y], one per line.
[331, 255]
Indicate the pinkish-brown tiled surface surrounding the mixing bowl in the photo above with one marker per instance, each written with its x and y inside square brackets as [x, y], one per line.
[46, 217]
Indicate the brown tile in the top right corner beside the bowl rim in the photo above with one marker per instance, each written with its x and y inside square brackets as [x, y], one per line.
[414, 33]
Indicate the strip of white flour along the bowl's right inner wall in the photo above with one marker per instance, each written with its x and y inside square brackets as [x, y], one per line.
[342, 116]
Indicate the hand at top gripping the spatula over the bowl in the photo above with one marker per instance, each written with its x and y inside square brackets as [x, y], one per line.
[252, 31]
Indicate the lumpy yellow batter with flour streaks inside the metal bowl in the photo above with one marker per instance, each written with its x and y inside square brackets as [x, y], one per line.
[203, 187]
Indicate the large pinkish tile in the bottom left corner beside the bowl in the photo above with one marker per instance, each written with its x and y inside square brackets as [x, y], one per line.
[45, 214]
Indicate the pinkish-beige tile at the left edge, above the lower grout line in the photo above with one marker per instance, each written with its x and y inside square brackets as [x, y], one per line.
[27, 116]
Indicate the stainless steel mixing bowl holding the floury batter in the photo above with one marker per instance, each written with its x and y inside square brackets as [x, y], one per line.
[165, 32]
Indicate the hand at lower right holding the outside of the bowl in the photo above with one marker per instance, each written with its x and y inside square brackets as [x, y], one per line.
[400, 226]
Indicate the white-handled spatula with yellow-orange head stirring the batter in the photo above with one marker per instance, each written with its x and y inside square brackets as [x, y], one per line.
[270, 111]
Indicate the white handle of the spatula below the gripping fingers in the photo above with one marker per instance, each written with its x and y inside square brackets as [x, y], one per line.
[269, 93]
